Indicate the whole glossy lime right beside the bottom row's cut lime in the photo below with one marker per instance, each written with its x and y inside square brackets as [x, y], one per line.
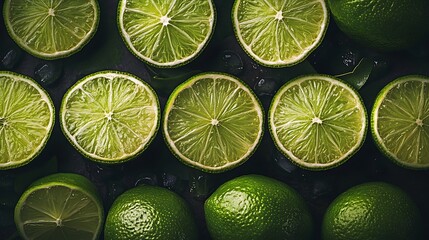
[150, 212]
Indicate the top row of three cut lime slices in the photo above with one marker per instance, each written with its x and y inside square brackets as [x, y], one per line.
[168, 33]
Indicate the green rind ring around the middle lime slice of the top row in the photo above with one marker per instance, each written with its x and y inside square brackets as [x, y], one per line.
[164, 65]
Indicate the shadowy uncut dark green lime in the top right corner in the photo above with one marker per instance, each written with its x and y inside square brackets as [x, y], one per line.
[385, 25]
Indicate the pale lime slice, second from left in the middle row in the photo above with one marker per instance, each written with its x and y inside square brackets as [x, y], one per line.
[110, 116]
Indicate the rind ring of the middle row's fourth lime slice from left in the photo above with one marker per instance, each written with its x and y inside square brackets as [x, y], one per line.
[338, 163]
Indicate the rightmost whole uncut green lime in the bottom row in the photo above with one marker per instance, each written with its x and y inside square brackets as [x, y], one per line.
[374, 210]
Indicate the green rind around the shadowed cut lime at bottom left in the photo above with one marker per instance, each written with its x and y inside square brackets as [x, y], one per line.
[69, 180]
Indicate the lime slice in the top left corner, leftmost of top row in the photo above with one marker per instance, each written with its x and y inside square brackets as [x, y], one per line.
[51, 29]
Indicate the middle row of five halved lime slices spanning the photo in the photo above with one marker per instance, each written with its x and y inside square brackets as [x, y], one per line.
[213, 121]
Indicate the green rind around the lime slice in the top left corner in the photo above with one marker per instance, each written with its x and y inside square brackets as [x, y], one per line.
[49, 56]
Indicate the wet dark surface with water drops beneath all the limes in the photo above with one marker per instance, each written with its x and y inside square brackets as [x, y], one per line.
[157, 166]
